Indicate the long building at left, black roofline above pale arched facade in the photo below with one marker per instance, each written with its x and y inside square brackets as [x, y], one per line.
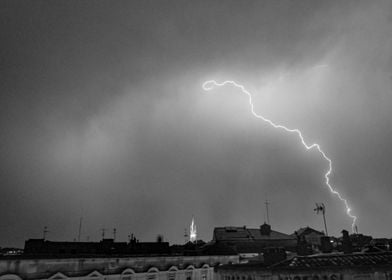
[47, 260]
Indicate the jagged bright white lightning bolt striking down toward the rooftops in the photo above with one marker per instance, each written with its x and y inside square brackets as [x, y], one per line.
[211, 84]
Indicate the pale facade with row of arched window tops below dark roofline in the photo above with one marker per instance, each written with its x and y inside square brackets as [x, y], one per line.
[114, 268]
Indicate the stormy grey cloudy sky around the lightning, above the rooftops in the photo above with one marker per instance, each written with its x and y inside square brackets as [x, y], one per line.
[103, 116]
